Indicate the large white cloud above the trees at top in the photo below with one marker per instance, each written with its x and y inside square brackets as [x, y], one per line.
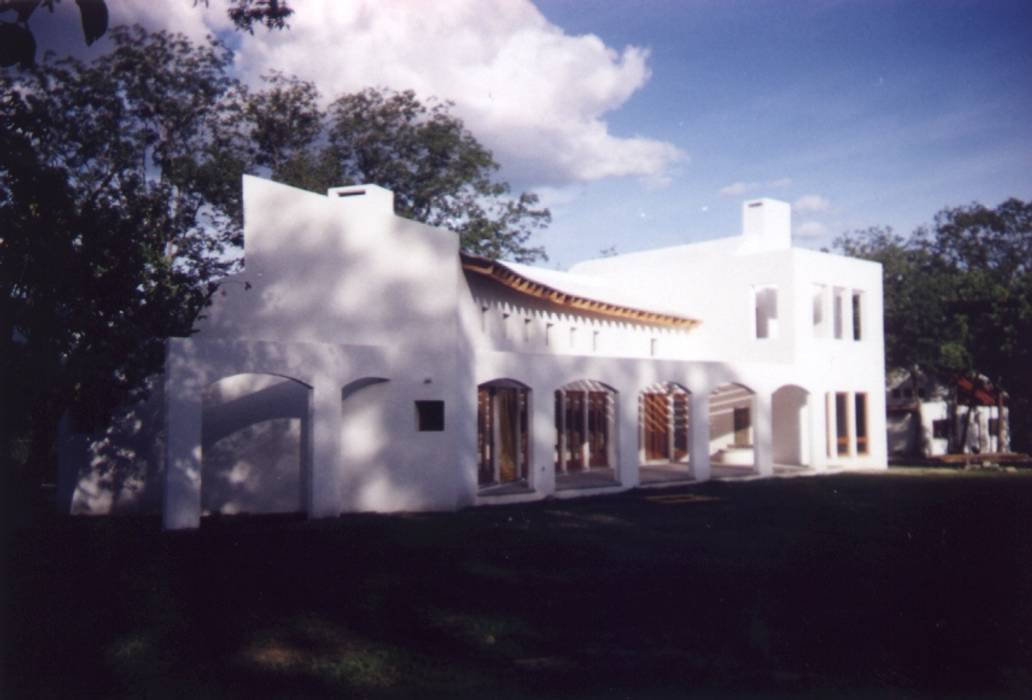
[532, 93]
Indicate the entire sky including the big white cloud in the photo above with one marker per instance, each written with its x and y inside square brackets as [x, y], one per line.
[647, 124]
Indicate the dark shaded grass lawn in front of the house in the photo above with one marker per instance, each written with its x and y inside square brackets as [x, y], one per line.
[913, 584]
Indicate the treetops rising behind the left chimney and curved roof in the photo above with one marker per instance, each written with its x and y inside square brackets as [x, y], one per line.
[440, 174]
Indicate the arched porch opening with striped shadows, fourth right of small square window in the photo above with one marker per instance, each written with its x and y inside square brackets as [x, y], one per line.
[732, 431]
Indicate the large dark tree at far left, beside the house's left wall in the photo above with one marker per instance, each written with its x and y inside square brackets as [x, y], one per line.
[119, 200]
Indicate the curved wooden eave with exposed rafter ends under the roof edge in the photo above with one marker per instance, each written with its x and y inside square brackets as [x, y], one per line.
[523, 285]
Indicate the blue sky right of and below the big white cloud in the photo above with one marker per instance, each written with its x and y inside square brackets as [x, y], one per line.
[887, 111]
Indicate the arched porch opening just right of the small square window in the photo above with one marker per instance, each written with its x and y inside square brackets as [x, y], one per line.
[503, 435]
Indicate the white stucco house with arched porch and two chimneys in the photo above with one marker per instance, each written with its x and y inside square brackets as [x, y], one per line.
[362, 363]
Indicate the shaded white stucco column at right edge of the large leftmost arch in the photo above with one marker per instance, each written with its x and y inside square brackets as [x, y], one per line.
[324, 472]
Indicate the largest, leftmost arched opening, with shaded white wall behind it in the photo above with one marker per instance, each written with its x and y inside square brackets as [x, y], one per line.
[255, 432]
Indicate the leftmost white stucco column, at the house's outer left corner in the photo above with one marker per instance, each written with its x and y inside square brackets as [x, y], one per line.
[181, 510]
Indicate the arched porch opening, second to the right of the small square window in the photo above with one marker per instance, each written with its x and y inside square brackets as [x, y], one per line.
[586, 428]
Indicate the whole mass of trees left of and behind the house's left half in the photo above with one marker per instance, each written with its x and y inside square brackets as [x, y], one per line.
[120, 208]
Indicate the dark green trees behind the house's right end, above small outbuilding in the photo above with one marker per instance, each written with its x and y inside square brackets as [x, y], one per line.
[959, 299]
